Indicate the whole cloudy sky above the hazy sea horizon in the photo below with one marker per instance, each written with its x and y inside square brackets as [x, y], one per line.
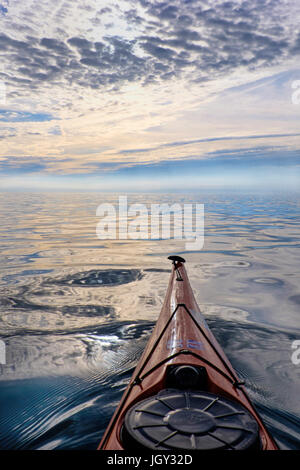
[149, 94]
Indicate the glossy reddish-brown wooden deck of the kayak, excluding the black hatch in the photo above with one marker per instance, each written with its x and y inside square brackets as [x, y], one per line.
[180, 337]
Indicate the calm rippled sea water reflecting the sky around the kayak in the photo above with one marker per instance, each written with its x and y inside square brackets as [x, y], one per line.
[76, 312]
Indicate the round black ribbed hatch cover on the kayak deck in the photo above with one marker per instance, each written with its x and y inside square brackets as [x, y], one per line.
[190, 420]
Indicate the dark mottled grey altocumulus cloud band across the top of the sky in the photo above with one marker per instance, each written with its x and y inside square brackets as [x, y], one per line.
[189, 39]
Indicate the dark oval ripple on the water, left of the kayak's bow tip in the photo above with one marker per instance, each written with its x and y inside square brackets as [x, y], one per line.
[106, 277]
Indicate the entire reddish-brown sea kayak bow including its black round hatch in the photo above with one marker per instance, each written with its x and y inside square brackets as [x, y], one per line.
[184, 394]
